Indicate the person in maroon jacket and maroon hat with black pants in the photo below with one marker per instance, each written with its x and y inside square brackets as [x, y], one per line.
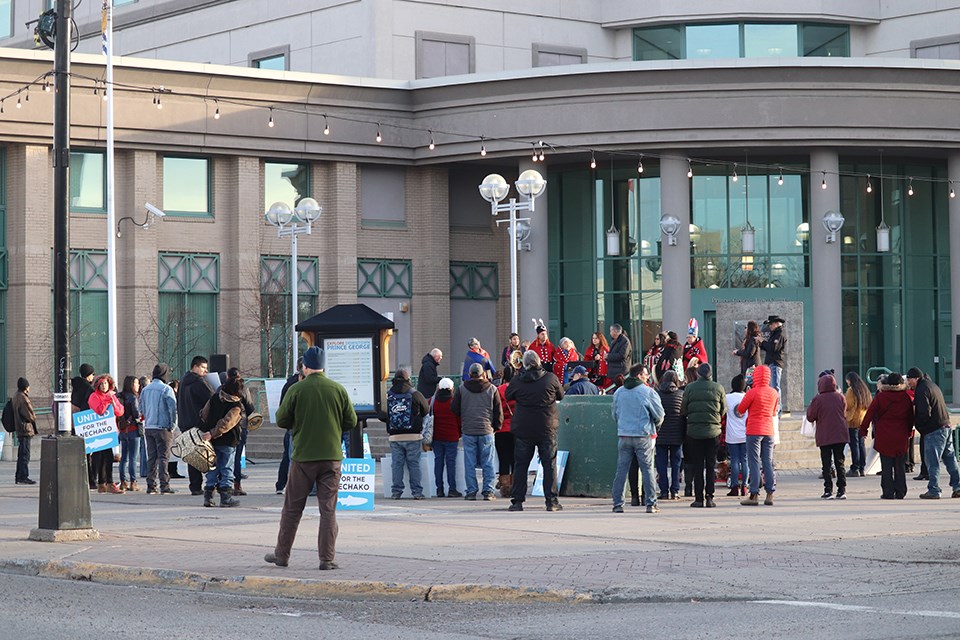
[827, 409]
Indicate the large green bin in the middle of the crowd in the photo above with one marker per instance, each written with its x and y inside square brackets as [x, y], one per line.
[588, 431]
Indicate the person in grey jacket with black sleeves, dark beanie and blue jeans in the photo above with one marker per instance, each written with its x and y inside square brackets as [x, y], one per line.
[477, 403]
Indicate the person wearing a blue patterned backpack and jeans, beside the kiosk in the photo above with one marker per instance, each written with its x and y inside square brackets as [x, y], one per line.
[406, 408]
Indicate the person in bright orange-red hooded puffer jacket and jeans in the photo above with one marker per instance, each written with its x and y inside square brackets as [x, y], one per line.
[760, 405]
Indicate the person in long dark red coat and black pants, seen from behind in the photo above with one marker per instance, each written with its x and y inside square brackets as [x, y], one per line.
[891, 413]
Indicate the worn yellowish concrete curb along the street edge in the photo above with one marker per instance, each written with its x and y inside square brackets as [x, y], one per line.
[293, 588]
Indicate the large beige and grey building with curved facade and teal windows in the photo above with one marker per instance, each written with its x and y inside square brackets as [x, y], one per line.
[704, 118]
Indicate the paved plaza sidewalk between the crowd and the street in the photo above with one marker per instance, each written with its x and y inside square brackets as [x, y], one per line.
[449, 549]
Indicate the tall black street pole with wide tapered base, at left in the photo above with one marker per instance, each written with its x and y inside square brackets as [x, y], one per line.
[64, 497]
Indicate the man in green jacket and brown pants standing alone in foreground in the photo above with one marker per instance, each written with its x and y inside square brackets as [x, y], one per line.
[317, 411]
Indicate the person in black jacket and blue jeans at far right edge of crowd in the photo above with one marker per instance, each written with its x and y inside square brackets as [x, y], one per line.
[933, 422]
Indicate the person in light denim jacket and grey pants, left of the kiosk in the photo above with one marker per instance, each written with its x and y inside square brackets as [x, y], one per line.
[158, 403]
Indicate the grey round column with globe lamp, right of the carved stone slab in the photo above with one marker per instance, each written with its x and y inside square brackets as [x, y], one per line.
[825, 264]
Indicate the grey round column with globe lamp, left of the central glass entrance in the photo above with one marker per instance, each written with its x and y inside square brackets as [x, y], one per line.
[675, 200]
